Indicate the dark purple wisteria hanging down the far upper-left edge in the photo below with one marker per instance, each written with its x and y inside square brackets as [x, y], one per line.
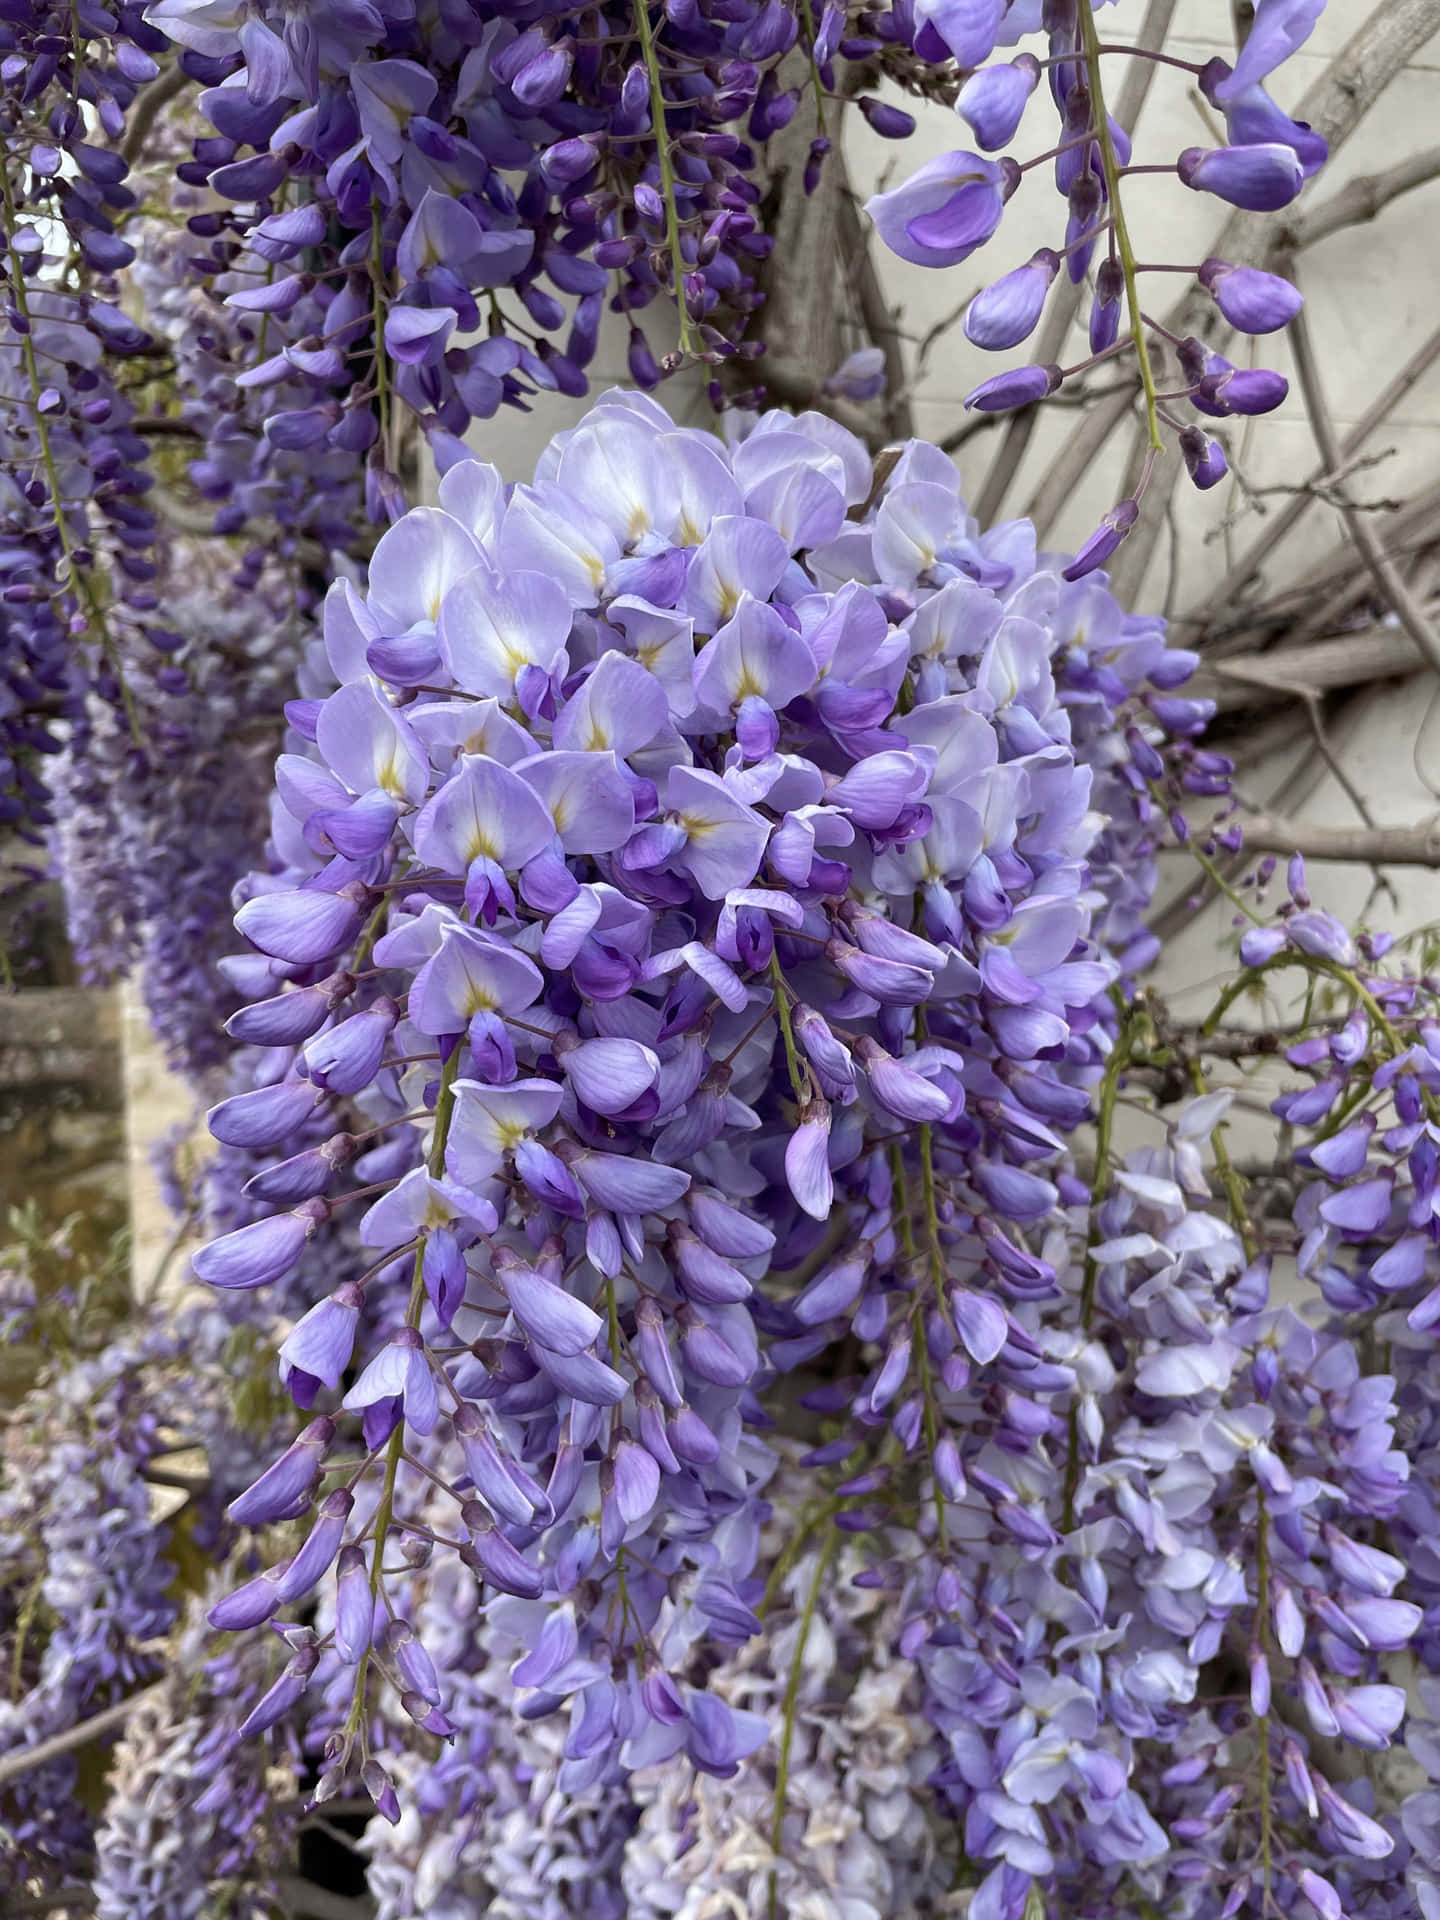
[76, 562]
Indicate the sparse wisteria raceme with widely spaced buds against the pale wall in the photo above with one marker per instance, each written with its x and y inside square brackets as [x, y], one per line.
[955, 204]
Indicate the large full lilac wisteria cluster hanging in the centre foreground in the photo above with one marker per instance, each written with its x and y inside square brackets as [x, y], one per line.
[700, 921]
